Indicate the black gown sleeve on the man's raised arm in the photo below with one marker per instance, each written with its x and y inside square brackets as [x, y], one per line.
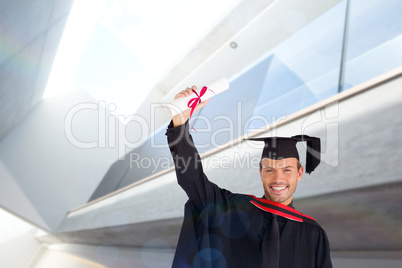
[189, 171]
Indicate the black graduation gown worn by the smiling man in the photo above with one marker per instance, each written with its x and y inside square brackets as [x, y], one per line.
[224, 229]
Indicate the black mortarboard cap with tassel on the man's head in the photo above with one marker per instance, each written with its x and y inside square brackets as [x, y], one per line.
[283, 147]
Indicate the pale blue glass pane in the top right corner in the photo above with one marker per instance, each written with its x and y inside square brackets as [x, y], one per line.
[374, 40]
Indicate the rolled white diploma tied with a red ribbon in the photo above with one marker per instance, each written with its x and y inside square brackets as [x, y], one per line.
[213, 88]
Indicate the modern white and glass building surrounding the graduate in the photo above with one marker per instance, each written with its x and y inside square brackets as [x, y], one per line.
[92, 181]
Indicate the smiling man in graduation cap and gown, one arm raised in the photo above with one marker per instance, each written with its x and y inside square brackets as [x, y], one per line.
[224, 229]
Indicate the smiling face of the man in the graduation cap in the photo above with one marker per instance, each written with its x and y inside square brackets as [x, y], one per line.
[279, 179]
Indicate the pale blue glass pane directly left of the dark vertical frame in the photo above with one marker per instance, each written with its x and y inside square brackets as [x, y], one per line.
[304, 69]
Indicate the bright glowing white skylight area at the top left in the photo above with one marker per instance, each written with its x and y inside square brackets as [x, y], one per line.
[117, 50]
